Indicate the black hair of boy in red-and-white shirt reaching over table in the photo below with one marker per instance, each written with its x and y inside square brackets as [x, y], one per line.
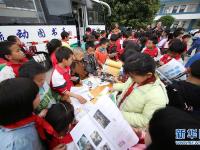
[63, 53]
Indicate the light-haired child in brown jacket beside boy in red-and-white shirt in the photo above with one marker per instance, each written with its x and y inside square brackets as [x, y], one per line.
[78, 67]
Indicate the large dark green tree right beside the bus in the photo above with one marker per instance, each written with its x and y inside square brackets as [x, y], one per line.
[135, 13]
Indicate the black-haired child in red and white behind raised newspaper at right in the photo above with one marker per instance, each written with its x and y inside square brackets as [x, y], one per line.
[176, 48]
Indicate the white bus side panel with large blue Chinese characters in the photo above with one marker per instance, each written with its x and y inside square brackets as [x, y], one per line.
[38, 33]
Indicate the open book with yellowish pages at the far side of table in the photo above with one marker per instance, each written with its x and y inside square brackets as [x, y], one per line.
[112, 67]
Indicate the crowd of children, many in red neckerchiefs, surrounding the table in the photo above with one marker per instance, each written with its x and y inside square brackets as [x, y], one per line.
[35, 105]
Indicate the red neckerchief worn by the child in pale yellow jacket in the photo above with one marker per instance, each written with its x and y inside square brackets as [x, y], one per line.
[131, 88]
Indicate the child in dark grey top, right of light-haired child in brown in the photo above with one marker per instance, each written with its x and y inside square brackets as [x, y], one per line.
[91, 64]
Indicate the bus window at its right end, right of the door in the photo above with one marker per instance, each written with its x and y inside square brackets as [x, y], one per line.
[95, 13]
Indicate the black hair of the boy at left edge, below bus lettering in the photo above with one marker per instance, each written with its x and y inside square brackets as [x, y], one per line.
[5, 48]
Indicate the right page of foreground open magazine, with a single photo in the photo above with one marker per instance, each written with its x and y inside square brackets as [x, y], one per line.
[109, 119]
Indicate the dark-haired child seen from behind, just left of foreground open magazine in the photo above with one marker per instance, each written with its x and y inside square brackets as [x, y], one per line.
[61, 116]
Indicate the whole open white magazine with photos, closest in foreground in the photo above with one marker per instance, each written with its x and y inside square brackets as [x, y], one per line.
[104, 128]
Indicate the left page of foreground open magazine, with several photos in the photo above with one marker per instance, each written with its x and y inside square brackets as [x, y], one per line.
[87, 136]
